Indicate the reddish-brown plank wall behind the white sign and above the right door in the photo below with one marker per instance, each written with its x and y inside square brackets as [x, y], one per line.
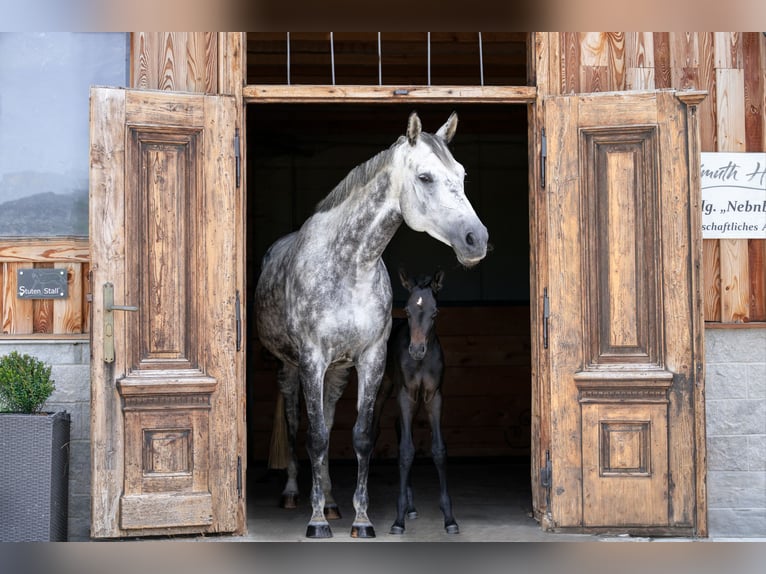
[731, 66]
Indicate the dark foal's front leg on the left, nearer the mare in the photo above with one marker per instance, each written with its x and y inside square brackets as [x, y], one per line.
[407, 400]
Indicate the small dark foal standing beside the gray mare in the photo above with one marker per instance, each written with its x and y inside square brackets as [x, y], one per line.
[415, 370]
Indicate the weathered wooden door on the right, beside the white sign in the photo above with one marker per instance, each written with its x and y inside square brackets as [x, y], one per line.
[624, 327]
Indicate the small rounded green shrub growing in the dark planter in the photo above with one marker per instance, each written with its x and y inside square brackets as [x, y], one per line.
[25, 383]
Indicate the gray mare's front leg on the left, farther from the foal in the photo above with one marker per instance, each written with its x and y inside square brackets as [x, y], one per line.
[317, 442]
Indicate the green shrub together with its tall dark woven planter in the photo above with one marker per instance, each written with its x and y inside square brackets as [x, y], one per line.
[34, 454]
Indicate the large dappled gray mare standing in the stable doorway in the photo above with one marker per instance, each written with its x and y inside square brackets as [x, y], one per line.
[323, 299]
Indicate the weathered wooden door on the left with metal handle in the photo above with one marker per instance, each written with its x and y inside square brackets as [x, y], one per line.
[165, 395]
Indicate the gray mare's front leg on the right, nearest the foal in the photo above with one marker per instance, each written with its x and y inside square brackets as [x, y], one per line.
[369, 368]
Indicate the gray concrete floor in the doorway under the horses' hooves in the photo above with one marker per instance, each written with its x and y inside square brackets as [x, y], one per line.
[491, 502]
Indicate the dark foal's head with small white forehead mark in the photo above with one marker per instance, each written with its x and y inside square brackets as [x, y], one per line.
[421, 310]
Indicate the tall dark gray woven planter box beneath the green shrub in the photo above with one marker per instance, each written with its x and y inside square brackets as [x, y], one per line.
[34, 476]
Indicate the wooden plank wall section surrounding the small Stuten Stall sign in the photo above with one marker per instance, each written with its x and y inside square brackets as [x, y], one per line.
[45, 317]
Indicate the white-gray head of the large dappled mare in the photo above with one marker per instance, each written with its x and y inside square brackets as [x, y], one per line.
[432, 197]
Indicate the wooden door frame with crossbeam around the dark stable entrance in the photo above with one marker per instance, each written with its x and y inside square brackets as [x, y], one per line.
[537, 59]
